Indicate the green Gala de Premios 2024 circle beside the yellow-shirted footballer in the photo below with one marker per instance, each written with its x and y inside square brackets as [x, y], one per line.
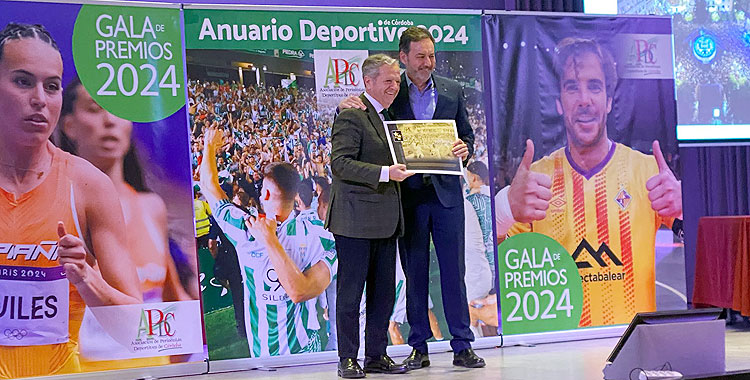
[540, 289]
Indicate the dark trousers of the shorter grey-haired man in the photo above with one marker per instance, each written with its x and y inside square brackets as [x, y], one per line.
[371, 261]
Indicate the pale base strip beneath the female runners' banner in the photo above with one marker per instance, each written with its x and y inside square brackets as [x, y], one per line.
[180, 369]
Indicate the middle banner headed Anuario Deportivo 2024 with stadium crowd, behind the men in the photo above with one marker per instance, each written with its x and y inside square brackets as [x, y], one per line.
[270, 80]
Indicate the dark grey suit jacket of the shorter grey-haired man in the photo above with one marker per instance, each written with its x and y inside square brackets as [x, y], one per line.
[361, 206]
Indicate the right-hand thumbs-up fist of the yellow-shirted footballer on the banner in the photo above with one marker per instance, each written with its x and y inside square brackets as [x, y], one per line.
[664, 190]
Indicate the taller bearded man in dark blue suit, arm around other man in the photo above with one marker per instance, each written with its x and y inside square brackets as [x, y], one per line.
[432, 204]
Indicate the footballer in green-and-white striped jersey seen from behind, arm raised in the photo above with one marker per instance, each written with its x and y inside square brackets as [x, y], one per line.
[285, 261]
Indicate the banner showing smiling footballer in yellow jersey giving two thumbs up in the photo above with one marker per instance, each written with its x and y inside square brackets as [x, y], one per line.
[555, 82]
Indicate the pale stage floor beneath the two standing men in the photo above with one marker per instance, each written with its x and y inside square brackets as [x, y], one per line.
[560, 361]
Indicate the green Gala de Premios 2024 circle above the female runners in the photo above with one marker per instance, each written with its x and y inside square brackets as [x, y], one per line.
[130, 60]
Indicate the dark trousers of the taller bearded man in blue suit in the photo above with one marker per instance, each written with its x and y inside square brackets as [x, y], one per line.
[446, 224]
